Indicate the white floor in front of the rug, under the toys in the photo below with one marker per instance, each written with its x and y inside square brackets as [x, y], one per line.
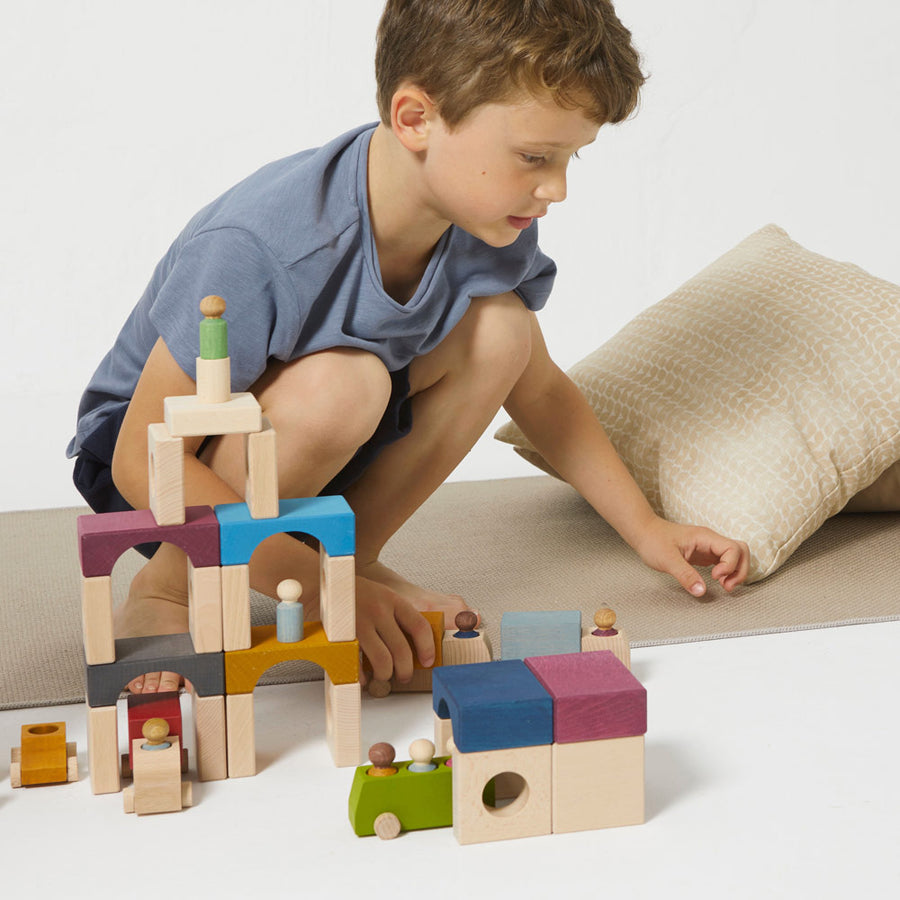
[772, 771]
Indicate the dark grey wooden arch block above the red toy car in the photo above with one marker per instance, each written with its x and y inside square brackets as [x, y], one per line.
[155, 653]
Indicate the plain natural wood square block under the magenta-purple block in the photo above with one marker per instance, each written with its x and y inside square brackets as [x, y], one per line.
[598, 784]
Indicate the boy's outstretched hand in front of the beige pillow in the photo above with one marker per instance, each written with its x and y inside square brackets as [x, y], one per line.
[676, 549]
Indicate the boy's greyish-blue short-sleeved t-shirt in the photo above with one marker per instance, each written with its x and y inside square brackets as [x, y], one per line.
[291, 251]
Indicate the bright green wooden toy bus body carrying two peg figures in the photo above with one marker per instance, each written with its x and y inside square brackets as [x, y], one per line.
[418, 799]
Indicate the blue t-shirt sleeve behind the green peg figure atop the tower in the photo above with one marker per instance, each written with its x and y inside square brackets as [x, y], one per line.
[238, 267]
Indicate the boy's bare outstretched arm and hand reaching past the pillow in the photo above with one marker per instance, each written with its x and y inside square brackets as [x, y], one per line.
[555, 416]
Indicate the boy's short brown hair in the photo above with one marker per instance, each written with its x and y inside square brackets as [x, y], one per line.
[464, 53]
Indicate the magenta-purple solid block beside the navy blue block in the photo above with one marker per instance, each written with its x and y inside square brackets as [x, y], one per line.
[594, 696]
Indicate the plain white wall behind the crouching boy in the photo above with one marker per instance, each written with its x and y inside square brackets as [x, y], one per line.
[118, 120]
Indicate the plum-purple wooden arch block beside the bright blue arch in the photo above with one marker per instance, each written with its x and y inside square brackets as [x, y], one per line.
[103, 538]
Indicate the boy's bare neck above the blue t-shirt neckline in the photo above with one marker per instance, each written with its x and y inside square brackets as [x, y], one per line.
[406, 231]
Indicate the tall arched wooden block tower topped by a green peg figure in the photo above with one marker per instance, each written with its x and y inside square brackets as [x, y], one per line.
[222, 656]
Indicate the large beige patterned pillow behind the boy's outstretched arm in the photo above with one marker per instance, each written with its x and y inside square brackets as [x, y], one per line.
[758, 398]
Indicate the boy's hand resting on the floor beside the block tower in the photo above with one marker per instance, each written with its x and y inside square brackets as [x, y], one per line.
[383, 619]
